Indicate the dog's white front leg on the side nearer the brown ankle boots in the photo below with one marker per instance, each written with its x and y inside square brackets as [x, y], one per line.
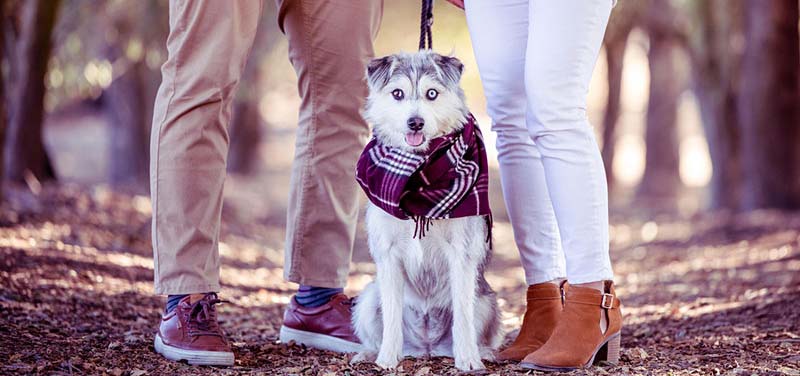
[463, 280]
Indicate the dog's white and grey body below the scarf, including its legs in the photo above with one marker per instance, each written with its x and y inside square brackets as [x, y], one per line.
[430, 296]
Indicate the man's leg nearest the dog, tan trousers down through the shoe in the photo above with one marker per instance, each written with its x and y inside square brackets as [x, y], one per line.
[330, 43]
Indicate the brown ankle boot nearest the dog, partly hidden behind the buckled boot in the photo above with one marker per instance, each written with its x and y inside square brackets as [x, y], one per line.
[541, 316]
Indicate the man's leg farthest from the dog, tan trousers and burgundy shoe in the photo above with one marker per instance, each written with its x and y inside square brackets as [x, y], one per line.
[207, 49]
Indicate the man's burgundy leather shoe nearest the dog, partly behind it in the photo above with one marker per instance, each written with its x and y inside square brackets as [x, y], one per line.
[327, 327]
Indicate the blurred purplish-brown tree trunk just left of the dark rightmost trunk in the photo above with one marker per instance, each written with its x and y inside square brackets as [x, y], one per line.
[715, 48]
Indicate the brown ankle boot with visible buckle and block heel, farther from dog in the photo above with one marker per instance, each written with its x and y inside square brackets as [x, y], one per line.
[577, 341]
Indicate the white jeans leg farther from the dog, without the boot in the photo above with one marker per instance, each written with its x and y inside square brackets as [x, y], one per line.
[563, 45]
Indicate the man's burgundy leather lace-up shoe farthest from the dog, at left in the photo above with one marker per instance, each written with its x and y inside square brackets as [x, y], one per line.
[191, 332]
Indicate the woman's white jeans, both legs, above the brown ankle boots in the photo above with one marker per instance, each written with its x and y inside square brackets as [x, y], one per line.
[536, 59]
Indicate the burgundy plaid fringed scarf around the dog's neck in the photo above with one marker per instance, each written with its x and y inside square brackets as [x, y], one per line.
[450, 180]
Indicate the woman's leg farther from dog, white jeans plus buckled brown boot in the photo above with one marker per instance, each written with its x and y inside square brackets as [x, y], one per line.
[563, 45]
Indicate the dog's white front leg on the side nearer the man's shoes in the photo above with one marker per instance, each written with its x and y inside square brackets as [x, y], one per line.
[391, 283]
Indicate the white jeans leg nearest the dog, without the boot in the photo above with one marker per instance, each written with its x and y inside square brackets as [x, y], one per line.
[499, 31]
